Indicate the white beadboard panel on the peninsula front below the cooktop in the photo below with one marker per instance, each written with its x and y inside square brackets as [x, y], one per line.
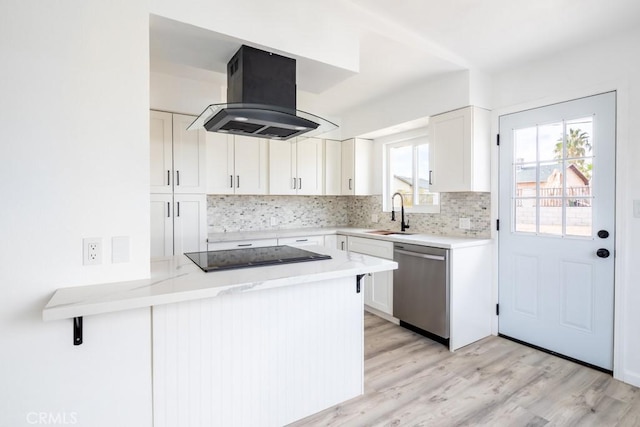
[261, 358]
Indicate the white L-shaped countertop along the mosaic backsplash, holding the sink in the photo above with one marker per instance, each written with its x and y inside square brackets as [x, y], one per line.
[417, 238]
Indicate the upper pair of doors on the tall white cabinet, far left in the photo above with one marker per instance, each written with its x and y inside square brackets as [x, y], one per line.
[177, 156]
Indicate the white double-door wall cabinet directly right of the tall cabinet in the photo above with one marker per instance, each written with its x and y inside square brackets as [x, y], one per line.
[236, 164]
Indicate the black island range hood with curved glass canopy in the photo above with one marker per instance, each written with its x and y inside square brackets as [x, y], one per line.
[261, 95]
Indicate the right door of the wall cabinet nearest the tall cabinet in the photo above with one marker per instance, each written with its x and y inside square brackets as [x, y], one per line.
[251, 165]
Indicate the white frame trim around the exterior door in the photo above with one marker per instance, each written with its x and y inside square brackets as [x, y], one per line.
[621, 209]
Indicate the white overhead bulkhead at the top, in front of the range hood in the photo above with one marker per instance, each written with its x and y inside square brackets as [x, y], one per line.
[307, 29]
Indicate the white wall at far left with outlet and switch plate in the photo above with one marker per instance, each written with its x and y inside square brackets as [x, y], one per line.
[74, 143]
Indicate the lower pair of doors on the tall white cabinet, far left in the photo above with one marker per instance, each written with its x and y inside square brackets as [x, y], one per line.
[178, 224]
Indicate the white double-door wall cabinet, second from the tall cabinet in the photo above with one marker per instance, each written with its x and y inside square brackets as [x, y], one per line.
[296, 167]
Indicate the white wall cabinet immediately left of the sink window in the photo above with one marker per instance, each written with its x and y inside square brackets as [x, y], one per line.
[357, 160]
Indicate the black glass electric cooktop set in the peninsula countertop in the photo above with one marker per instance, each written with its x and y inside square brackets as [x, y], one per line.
[252, 257]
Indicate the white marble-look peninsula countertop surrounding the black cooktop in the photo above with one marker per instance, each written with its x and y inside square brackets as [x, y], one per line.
[176, 279]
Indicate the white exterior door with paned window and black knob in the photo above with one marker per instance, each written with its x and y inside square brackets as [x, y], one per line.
[557, 200]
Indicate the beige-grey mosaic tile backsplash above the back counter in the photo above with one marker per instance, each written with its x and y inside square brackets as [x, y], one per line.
[252, 213]
